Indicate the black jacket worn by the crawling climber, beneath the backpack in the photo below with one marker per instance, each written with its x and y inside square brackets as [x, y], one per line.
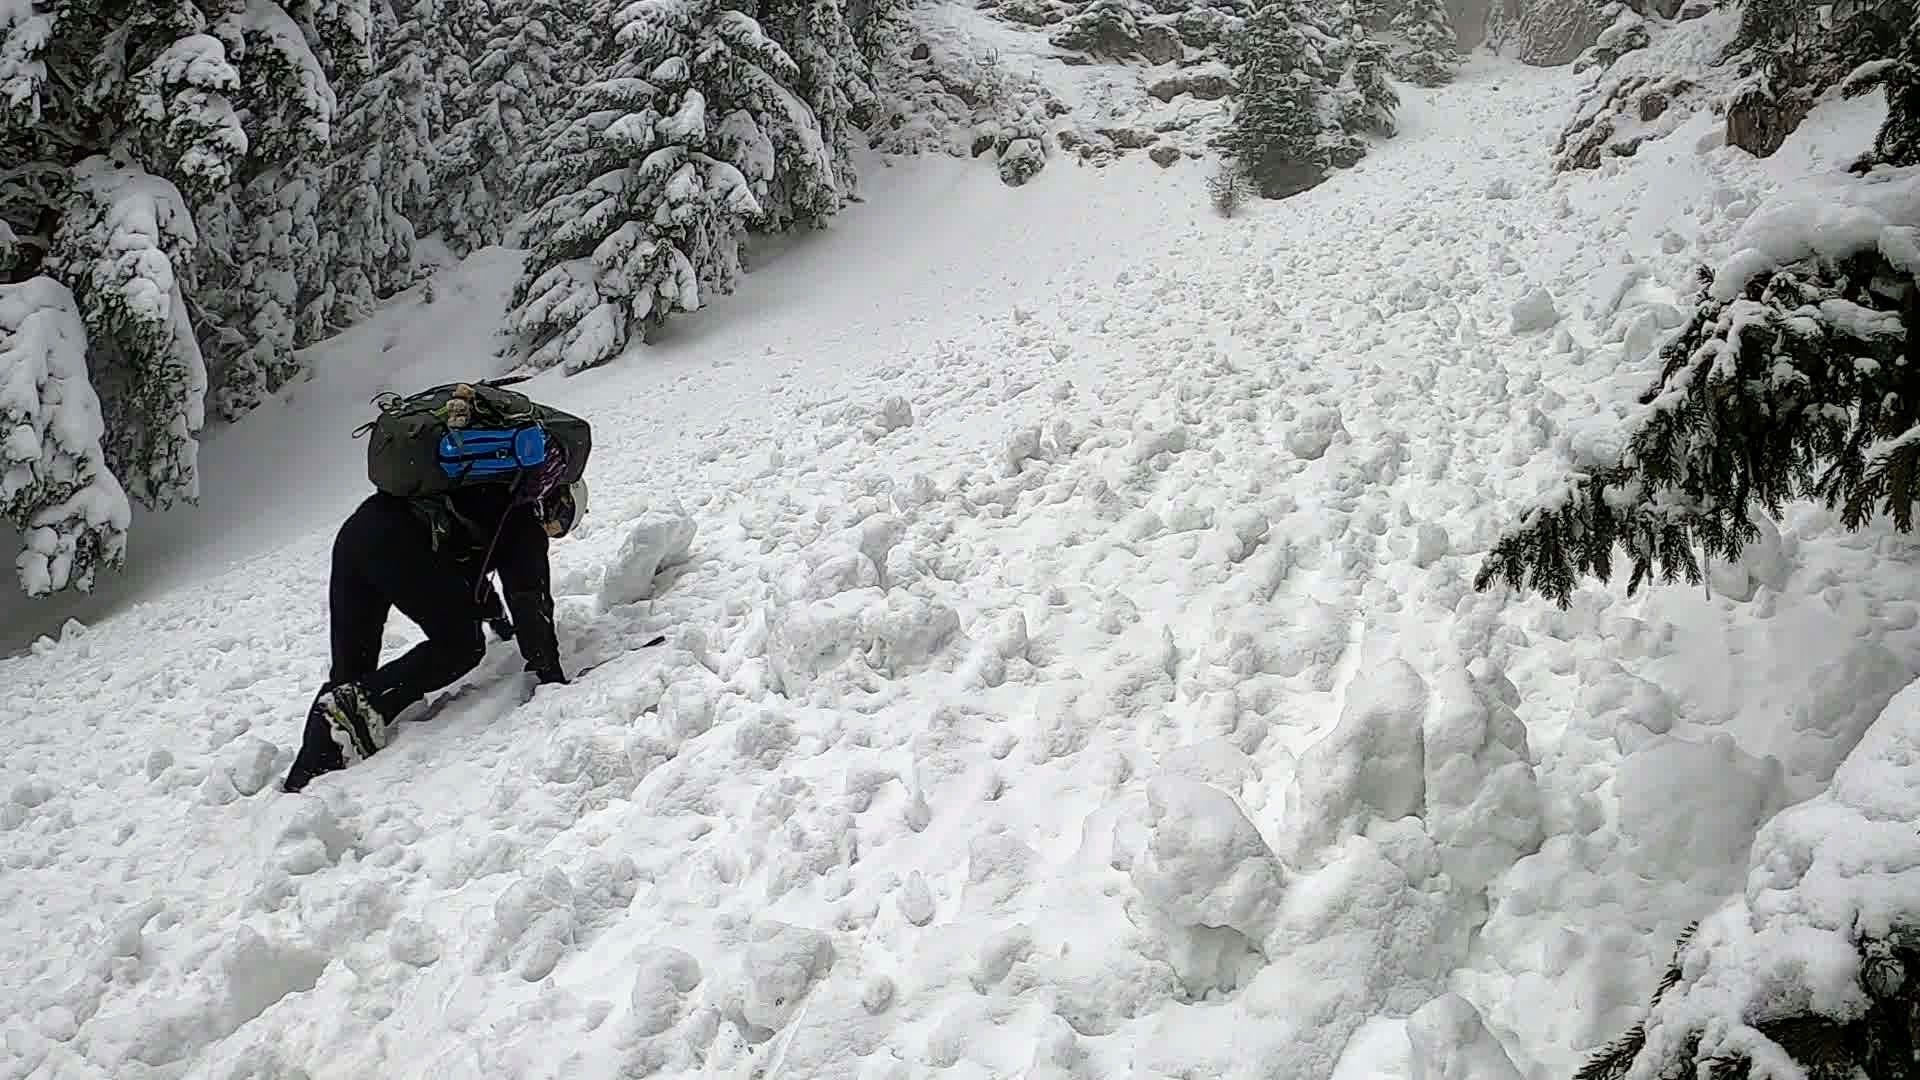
[487, 531]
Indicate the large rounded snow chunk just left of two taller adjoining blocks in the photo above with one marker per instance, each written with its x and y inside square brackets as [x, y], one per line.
[1205, 862]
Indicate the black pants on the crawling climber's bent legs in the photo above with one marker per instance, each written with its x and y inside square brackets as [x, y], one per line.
[385, 560]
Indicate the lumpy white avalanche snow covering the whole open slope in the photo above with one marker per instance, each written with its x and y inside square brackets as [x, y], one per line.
[1072, 668]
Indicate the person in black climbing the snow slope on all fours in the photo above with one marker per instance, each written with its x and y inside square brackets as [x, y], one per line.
[429, 556]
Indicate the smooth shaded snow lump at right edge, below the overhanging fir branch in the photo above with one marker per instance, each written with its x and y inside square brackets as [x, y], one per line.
[1840, 702]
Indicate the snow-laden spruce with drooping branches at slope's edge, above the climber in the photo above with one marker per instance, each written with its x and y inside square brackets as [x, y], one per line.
[648, 187]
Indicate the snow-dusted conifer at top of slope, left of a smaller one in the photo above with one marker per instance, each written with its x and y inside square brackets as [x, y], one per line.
[1276, 128]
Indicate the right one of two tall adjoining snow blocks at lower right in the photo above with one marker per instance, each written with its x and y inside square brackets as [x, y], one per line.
[1483, 798]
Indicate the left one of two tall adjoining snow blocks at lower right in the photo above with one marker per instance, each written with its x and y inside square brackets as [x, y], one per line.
[1370, 766]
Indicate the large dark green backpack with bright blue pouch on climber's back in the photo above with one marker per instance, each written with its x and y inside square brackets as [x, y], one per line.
[469, 433]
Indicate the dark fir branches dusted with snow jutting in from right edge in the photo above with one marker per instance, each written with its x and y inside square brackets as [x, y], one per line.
[1788, 383]
